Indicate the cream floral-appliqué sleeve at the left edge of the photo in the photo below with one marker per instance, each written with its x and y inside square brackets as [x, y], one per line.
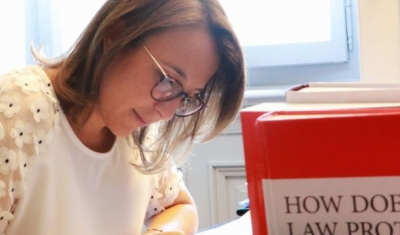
[28, 118]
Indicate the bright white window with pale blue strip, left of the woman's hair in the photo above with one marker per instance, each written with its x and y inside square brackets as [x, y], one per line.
[53, 25]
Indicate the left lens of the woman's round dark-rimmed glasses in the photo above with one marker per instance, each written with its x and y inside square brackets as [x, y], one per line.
[166, 90]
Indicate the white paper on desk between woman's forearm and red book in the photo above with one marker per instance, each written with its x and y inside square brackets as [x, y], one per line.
[240, 226]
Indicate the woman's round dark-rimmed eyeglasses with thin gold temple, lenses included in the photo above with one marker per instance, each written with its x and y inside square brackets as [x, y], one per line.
[168, 89]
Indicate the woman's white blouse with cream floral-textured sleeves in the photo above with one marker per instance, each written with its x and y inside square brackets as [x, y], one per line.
[50, 183]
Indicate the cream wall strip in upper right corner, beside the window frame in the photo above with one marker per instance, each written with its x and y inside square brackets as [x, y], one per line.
[379, 28]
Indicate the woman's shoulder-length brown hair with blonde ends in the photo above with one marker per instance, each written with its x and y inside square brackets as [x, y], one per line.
[79, 71]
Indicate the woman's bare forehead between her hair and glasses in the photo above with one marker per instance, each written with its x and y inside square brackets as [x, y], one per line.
[190, 51]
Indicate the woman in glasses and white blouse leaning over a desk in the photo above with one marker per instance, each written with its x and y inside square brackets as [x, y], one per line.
[90, 143]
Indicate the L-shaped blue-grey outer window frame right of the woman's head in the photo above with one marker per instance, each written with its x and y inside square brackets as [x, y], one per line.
[283, 77]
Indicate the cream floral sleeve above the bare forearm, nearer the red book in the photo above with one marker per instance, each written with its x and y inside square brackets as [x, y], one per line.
[167, 186]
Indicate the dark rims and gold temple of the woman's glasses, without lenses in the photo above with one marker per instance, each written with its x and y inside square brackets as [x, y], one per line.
[184, 95]
